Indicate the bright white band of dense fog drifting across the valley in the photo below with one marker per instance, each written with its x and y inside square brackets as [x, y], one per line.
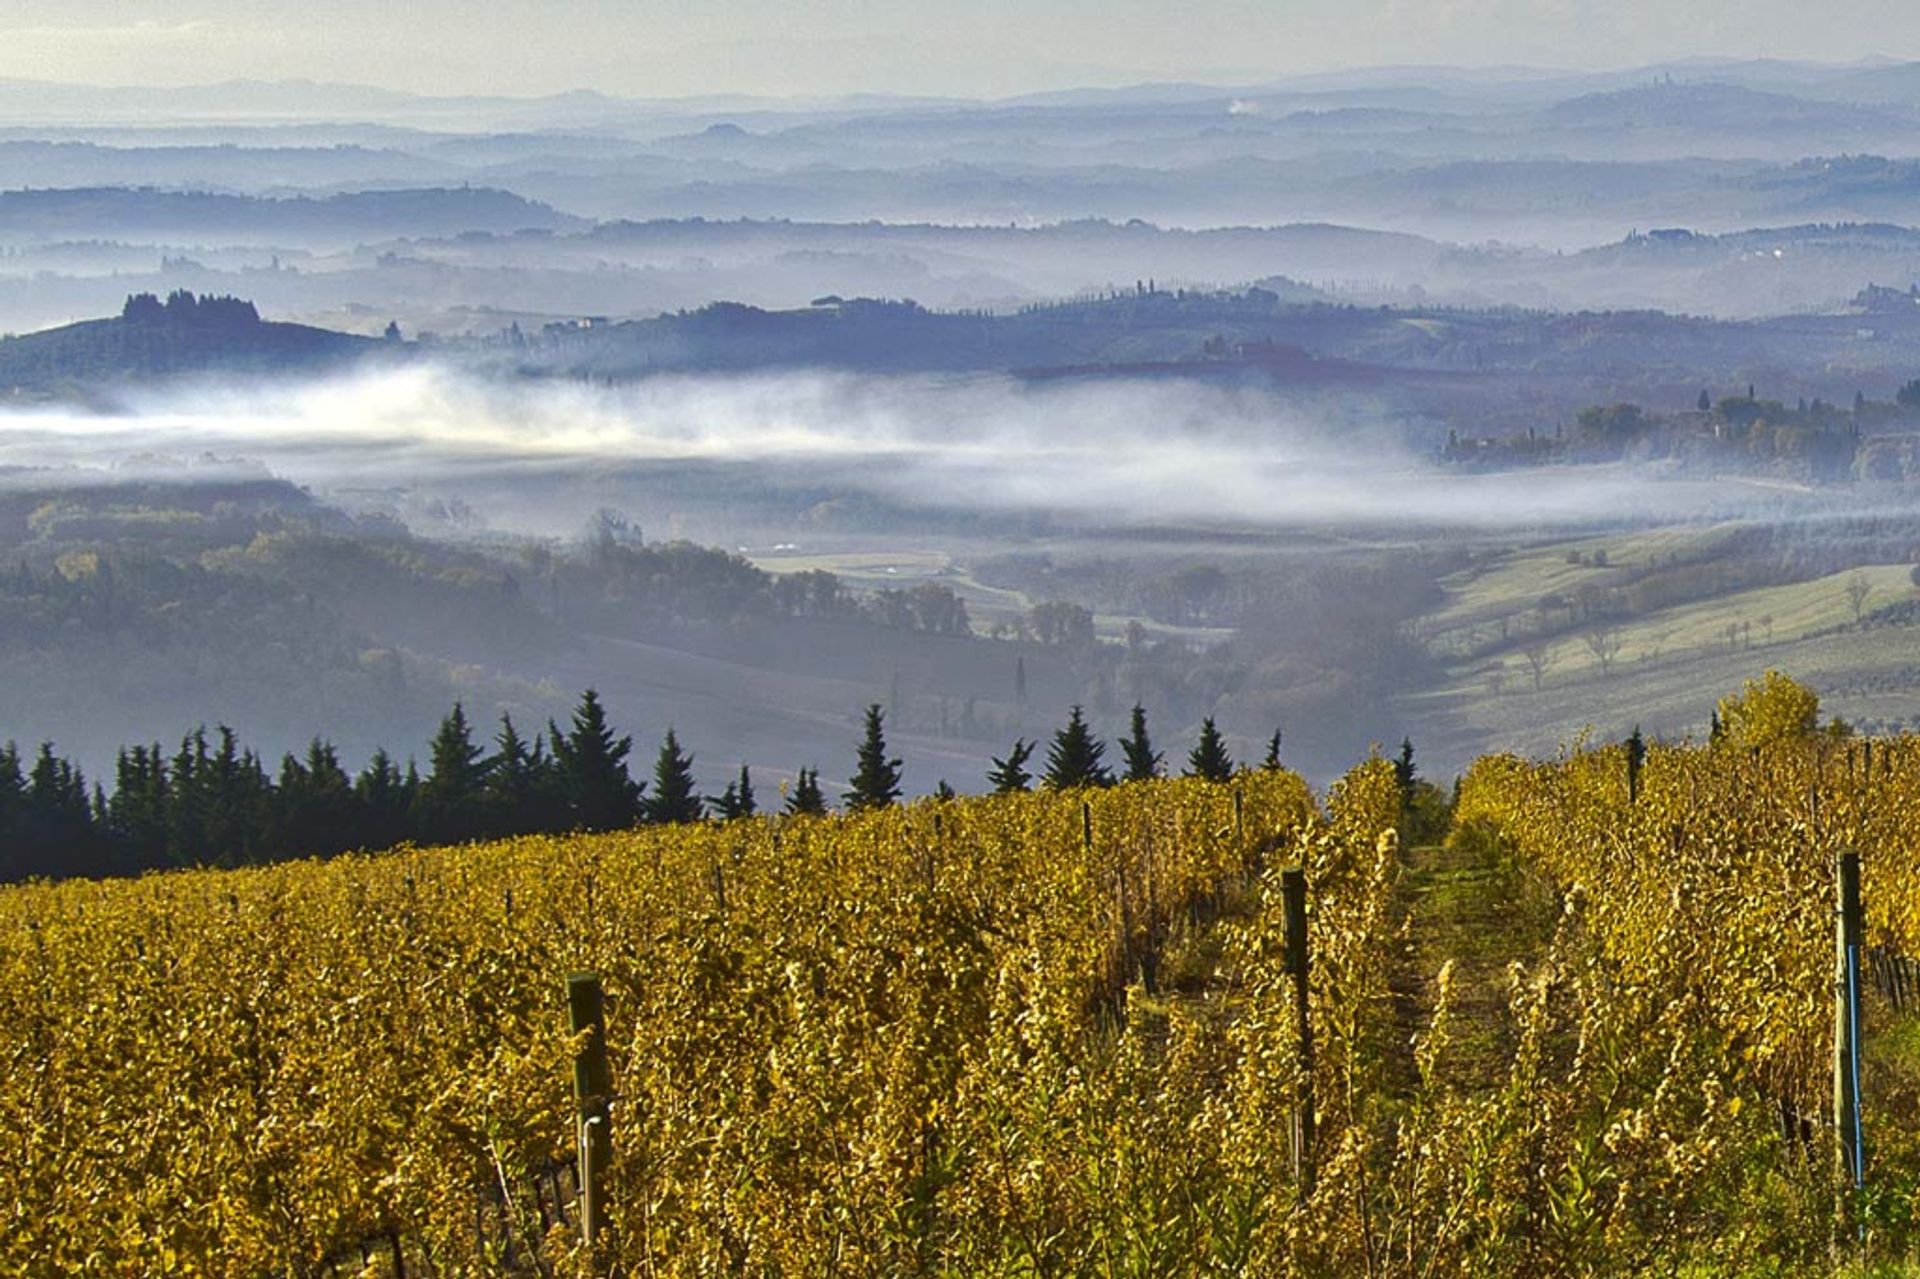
[1111, 452]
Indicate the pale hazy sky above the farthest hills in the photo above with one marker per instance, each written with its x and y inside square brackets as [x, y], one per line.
[944, 47]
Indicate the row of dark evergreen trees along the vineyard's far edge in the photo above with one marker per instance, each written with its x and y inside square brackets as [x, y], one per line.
[216, 804]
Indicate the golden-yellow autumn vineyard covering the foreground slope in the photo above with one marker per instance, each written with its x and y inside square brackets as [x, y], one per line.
[1044, 1034]
